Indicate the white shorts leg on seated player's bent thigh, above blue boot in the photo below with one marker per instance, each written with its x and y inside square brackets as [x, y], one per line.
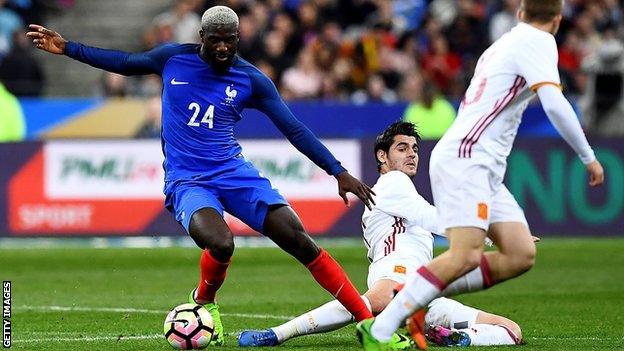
[450, 314]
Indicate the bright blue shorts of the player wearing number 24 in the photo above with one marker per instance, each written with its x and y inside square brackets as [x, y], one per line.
[241, 191]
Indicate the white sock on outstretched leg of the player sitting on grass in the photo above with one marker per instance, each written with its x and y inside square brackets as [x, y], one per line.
[328, 317]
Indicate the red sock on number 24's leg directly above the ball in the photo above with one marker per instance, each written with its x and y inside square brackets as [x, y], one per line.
[211, 278]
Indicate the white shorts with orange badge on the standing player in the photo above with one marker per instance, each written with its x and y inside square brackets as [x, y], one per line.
[469, 194]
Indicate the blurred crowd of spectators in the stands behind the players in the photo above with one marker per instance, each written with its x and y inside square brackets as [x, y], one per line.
[419, 51]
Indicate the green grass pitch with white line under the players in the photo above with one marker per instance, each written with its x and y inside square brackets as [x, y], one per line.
[116, 299]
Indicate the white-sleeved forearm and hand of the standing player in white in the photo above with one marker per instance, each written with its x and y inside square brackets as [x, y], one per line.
[564, 119]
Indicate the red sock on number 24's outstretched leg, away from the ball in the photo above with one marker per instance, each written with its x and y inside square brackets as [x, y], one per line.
[328, 273]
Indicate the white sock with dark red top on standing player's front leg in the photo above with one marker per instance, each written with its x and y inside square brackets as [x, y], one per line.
[417, 293]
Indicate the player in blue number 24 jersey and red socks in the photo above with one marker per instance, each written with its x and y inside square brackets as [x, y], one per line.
[205, 89]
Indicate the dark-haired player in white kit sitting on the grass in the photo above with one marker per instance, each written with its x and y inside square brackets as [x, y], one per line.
[397, 233]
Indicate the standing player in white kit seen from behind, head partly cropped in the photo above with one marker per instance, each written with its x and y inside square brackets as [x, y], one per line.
[468, 164]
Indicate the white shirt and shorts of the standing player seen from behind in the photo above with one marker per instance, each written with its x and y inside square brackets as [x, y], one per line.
[468, 164]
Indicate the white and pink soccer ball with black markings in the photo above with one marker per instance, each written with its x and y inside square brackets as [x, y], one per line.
[189, 327]
